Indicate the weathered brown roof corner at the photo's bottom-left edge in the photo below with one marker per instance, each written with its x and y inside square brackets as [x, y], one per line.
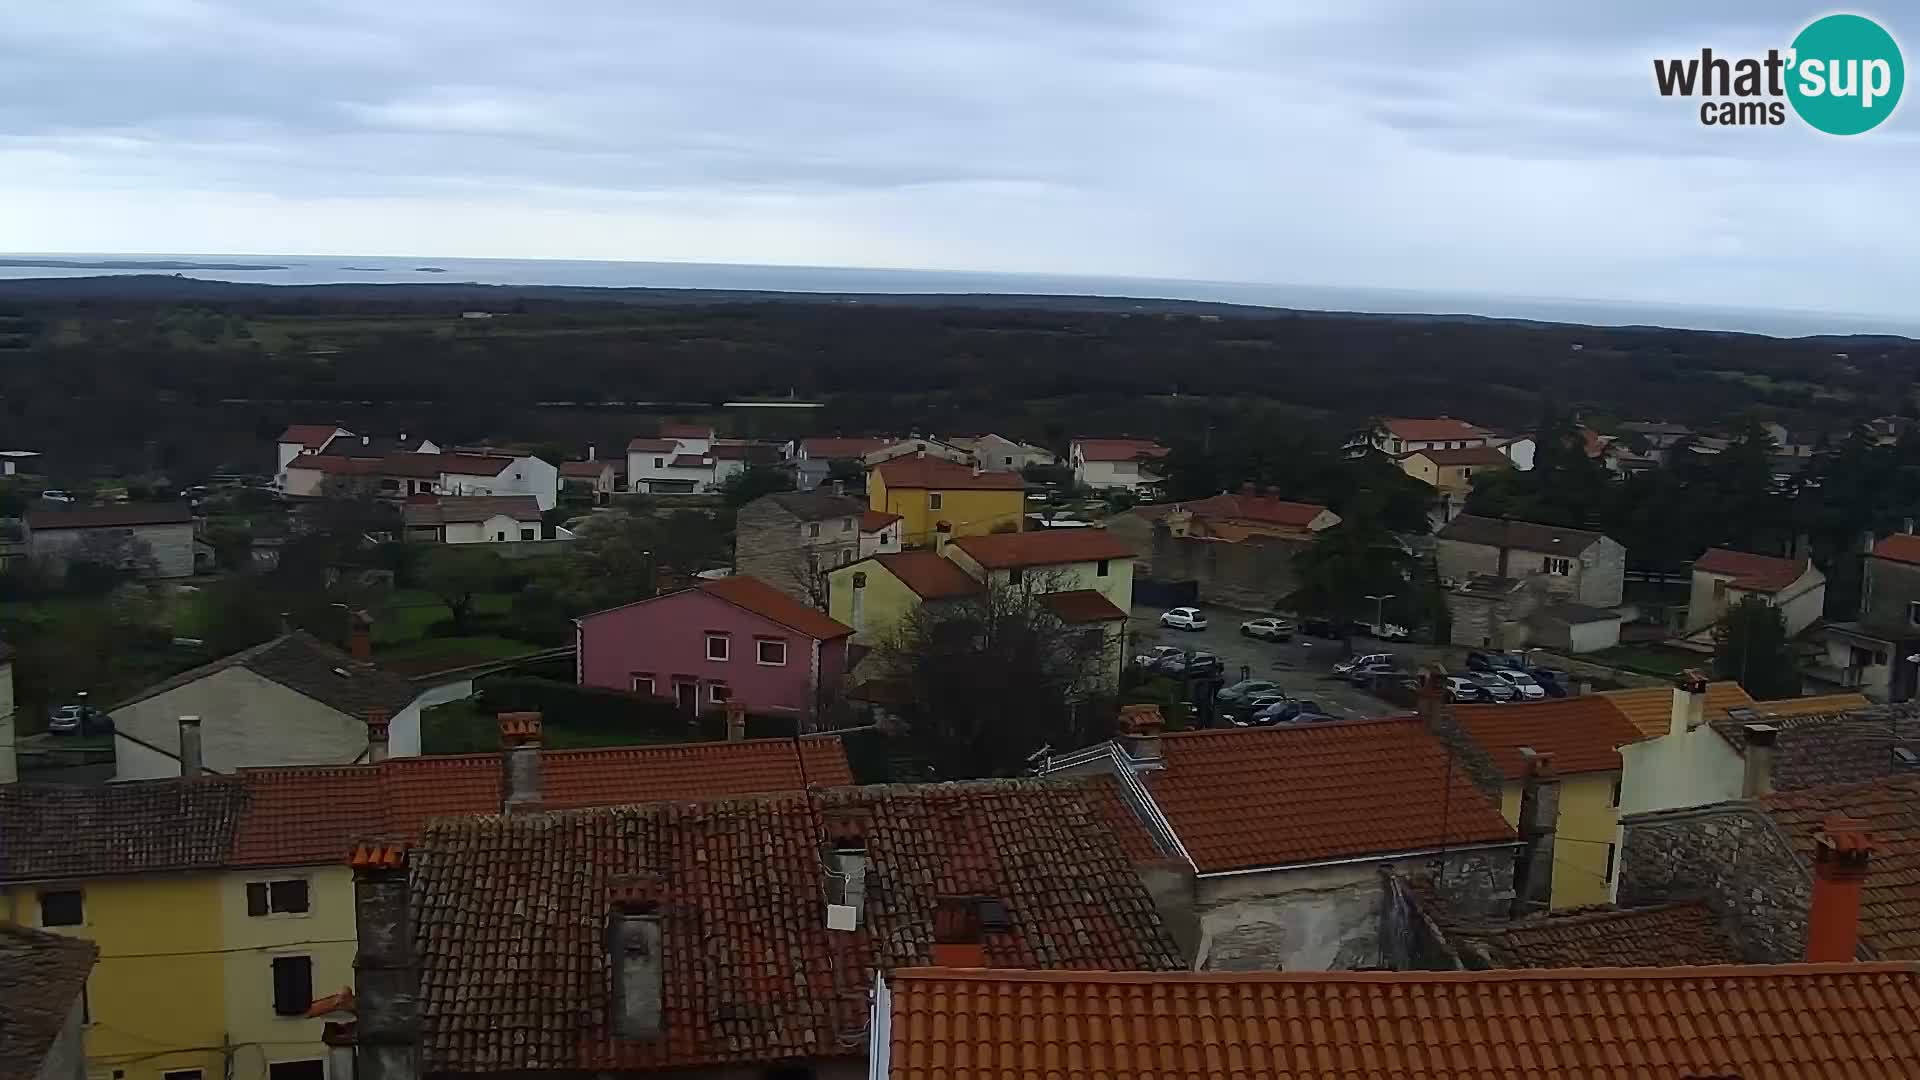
[41, 983]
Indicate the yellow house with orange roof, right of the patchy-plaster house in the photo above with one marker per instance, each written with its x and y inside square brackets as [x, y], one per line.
[1583, 737]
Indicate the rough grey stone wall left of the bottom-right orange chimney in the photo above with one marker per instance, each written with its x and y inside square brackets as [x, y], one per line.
[1737, 860]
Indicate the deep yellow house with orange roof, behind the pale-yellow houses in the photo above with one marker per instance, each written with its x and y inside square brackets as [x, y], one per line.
[940, 499]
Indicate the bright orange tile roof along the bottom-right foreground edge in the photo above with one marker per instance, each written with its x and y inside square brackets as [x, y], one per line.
[1704, 1023]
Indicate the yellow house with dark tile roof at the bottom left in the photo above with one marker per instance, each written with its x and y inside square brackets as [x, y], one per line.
[135, 870]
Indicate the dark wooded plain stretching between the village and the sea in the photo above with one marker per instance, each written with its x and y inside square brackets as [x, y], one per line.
[187, 378]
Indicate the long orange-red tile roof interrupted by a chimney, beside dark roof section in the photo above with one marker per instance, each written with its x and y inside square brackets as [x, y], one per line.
[304, 816]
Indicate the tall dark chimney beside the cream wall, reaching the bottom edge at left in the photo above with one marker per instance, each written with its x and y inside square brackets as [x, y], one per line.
[385, 970]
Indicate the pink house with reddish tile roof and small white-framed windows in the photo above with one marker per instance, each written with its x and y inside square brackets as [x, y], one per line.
[725, 641]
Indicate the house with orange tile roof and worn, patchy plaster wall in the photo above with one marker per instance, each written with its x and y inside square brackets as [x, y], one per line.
[1284, 831]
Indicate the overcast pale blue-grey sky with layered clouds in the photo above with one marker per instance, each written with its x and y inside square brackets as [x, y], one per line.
[1499, 147]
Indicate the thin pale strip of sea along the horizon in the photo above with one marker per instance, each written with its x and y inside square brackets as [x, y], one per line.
[333, 270]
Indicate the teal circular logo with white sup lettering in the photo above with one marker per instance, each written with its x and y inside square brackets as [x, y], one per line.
[1846, 74]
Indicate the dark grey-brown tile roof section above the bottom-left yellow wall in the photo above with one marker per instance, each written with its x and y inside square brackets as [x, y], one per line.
[135, 827]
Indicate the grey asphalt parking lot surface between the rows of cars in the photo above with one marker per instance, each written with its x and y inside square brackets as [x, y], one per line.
[1303, 668]
